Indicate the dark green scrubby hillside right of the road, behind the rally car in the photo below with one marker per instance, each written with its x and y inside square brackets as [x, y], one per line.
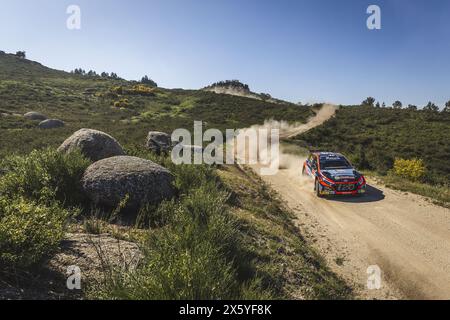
[374, 137]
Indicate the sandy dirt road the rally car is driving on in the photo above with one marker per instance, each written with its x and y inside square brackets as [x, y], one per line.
[407, 237]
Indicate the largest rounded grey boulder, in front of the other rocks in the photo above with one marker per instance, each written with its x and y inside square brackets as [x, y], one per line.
[109, 181]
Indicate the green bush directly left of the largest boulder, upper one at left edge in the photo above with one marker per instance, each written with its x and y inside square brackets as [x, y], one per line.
[44, 176]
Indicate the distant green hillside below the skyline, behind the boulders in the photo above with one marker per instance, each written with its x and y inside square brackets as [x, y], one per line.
[83, 101]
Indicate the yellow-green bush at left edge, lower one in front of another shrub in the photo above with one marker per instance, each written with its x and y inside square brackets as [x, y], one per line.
[29, 231]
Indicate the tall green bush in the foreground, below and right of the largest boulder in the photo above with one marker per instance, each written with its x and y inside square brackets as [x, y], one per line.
[191, 258]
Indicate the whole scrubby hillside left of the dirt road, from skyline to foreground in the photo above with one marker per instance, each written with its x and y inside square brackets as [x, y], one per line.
[223, 235]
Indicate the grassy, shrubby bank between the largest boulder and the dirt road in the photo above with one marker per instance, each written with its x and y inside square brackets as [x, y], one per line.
[220, 239]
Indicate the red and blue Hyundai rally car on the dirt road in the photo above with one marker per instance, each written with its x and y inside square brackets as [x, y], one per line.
[333, 174]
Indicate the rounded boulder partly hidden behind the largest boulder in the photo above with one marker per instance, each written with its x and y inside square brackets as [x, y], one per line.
[94, 144]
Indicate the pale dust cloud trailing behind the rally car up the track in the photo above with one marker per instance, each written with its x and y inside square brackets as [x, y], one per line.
[252, 150]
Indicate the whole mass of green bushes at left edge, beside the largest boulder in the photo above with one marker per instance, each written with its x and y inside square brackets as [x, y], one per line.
[37, 195]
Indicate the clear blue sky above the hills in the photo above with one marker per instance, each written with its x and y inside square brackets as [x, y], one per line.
[296, 50]
